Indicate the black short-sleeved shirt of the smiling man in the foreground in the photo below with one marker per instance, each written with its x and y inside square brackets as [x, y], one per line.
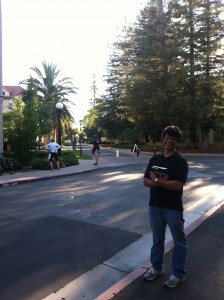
[177, 169]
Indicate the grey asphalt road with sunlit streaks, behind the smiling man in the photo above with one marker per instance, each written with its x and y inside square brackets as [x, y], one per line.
[54, 231]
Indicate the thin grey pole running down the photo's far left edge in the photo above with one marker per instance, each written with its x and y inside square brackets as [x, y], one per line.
[1, 89]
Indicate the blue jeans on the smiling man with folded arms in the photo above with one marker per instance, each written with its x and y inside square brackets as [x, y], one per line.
[159, 218]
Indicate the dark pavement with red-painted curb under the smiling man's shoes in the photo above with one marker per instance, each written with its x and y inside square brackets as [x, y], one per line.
[205, 265]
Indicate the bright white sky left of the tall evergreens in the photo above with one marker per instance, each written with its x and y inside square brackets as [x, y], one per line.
[75, 35]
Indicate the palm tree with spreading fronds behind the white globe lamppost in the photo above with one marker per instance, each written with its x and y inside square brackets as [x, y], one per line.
[51, 91]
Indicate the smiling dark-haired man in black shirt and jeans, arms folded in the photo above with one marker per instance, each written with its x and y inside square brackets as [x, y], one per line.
[166, 175]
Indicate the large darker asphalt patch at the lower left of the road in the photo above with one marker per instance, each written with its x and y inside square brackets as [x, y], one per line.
[51, 252]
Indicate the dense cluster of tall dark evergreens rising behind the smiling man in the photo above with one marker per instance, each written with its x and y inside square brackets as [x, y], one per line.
[168, 69]
